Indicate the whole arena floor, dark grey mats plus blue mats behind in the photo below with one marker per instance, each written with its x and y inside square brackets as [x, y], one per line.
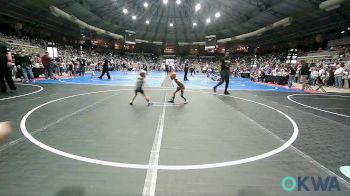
[80, 136]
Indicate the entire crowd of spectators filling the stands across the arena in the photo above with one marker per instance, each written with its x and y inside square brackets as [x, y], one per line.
[72, 62]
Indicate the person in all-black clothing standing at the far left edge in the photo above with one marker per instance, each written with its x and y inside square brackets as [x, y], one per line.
[5, 70]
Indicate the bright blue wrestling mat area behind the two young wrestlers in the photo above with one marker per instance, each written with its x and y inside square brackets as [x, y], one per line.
[155, 79]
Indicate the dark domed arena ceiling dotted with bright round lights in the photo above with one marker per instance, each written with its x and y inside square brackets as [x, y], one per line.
[173, 23]
